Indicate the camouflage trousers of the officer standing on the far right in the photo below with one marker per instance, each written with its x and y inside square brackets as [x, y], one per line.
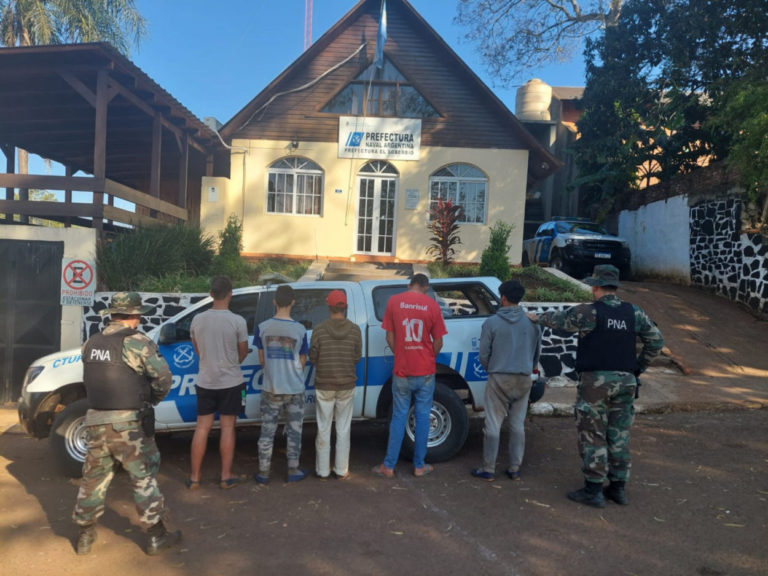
[604, 414]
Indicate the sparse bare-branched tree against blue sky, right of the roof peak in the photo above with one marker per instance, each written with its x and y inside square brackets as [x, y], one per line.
[515, 36]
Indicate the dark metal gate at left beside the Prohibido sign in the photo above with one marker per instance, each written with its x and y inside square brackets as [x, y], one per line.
[30, 313]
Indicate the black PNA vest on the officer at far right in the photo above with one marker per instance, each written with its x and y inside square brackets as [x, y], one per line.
[611, 345]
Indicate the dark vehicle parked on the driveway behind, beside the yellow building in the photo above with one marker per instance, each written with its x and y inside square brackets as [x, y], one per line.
[575, 246]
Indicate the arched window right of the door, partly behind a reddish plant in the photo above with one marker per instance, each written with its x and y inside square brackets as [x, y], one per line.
[463, 185]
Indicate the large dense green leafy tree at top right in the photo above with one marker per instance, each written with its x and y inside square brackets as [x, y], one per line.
[656, 82]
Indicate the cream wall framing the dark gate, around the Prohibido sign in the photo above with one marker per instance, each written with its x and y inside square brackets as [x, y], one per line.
[78, 243]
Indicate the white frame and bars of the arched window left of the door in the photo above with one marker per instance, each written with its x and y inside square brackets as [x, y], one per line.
[295, 169]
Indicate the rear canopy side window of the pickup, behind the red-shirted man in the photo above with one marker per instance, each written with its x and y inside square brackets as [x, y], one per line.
[459, 299]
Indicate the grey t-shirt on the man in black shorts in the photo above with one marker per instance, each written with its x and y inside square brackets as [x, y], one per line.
[217, 334]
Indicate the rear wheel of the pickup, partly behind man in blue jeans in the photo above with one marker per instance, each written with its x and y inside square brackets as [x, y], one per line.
[448, 426]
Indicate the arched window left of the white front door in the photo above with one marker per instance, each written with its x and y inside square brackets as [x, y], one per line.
[295, 186]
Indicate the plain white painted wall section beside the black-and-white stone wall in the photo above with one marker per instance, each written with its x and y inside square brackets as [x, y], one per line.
[659, 237]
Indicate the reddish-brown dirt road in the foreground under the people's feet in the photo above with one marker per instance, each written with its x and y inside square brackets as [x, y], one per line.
[699, 506]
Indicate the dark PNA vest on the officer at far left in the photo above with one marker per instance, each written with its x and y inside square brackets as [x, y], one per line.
[110, 383]
